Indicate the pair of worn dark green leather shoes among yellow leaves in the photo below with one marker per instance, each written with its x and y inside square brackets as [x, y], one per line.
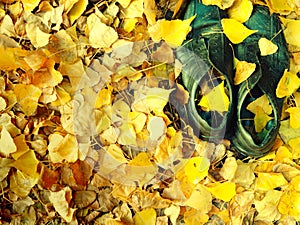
[207, 56]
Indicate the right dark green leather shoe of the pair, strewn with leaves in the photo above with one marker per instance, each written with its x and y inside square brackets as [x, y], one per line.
[264, 80]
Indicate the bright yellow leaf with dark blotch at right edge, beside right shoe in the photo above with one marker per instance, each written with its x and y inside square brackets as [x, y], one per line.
[288, 84]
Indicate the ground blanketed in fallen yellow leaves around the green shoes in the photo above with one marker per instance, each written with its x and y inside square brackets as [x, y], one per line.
[92, 129]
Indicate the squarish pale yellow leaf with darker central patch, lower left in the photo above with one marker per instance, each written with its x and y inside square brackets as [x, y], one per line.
[62, 148]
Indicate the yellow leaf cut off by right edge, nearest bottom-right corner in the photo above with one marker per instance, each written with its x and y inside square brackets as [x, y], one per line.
[290, 204]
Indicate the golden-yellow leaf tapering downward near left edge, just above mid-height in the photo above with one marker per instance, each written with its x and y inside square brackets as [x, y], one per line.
[27, 96]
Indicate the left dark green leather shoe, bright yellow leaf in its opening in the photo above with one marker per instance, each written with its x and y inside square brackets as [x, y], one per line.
[208, 60]
